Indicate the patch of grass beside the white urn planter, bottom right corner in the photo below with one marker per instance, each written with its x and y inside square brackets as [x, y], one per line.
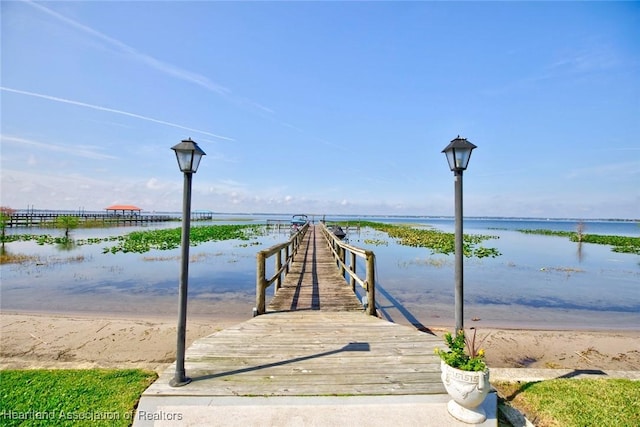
[576, 402]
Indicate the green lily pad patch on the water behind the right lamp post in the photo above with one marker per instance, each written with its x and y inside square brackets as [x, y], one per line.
[437, 241]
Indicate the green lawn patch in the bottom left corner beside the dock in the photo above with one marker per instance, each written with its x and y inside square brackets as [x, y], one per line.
[82, 397]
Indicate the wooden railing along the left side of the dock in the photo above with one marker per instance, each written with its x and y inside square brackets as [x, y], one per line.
[284, 253]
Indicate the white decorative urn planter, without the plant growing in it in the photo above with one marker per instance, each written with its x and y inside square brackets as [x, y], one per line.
[467, 390]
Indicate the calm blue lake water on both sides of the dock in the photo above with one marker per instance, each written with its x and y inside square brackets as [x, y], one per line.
[537, 282]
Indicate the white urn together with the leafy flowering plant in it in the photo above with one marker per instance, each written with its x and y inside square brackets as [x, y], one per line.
[465, 377]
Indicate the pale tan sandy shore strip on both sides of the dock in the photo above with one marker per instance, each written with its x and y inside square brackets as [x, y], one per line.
[45, 340]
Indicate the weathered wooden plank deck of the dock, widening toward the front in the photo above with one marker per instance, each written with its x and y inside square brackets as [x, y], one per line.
[315, 340]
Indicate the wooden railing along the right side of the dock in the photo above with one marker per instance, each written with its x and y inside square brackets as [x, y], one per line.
[341, 251]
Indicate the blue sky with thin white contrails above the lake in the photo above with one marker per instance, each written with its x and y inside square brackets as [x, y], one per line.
[323, 107]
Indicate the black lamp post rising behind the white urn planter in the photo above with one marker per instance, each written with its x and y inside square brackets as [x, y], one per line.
[458, 153]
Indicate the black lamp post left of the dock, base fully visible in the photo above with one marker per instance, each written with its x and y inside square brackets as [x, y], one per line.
[188, 154]
